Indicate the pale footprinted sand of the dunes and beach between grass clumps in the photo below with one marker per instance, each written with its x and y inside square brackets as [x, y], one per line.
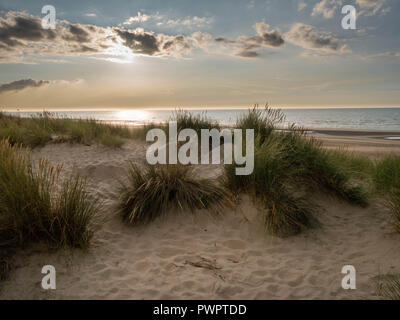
[198, 256]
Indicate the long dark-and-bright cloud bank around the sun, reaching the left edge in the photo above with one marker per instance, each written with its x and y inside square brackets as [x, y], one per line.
[22, 36]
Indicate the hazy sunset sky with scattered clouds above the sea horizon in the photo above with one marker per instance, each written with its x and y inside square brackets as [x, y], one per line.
[203, 54]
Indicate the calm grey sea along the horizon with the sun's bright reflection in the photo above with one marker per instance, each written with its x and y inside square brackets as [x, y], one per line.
[333, 118]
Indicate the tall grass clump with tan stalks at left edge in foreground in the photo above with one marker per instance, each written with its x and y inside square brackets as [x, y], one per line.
[33, 207]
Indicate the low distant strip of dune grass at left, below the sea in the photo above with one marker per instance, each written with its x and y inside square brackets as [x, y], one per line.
[45, 127]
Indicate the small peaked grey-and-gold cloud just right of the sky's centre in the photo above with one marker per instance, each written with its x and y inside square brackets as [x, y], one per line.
[246, 45]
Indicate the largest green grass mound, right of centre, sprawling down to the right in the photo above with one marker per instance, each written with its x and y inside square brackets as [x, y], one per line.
[289, 167]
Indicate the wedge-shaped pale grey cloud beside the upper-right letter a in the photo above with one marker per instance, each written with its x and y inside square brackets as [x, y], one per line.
[308, 37]
